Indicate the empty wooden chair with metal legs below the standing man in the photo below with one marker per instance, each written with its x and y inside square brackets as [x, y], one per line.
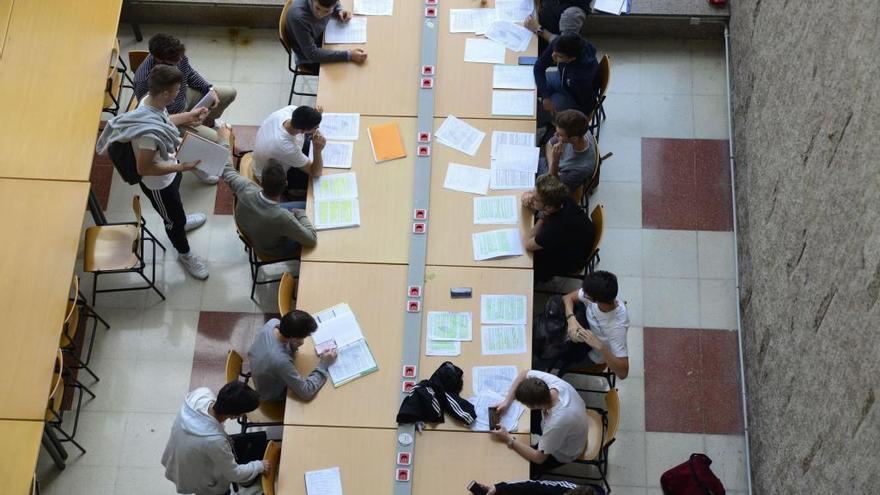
[119, 248]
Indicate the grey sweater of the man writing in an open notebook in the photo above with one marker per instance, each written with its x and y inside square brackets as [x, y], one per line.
[273, 371]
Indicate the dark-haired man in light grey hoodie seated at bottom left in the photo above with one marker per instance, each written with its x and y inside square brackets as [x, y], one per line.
[198, 457]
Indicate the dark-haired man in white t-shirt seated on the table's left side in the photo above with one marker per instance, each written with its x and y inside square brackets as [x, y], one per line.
[281, 138]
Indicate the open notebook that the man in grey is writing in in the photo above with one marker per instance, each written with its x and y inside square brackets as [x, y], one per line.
[338, 327]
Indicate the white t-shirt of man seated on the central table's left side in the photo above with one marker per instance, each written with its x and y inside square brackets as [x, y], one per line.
[274, 143]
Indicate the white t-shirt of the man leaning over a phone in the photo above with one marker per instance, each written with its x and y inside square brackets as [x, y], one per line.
[564, 427]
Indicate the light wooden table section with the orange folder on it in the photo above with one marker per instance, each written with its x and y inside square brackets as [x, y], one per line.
[385, 195]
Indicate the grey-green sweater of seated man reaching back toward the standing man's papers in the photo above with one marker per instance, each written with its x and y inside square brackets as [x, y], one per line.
[267, 225]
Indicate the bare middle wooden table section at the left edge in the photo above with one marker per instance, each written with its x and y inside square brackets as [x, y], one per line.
[41, 225]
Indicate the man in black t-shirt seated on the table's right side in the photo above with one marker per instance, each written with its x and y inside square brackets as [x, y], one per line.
[563, 233]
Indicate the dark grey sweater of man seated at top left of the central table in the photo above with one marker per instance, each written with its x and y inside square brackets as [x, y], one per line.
[304, 32]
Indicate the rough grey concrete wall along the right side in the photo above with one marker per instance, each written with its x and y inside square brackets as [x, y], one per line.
[806, 94]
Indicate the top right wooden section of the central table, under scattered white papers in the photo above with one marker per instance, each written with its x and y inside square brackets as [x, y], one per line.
[464, 89]
